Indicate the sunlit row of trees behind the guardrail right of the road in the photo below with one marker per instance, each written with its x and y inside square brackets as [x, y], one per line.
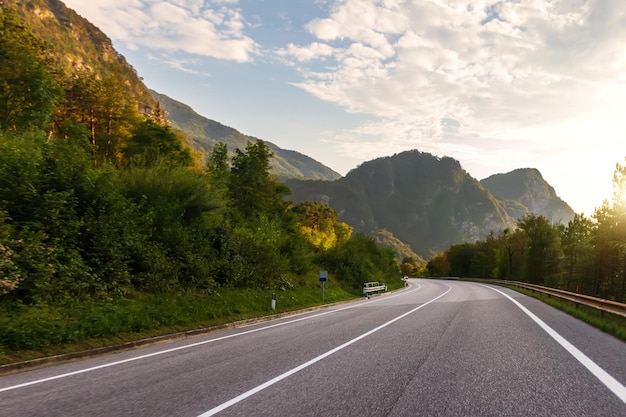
[587, 255]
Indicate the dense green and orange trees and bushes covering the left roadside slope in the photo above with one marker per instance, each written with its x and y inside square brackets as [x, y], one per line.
[99, 200]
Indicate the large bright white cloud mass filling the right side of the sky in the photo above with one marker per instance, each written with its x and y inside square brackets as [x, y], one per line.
[545, 77]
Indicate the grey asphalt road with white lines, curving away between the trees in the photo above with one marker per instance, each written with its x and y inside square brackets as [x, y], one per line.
[438, 348]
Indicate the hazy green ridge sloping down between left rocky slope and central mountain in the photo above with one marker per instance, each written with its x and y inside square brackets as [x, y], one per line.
[204, 133]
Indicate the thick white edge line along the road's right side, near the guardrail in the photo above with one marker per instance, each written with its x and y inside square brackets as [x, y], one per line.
[604, 377]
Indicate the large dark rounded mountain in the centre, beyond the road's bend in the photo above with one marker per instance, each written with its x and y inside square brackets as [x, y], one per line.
[423, 200]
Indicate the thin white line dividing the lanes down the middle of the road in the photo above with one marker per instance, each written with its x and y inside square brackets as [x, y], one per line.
[287, 374]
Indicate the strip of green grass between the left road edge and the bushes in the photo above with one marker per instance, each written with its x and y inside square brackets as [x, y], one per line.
[28, 332]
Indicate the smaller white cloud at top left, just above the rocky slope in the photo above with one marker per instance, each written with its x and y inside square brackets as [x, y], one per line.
[207, 28]
